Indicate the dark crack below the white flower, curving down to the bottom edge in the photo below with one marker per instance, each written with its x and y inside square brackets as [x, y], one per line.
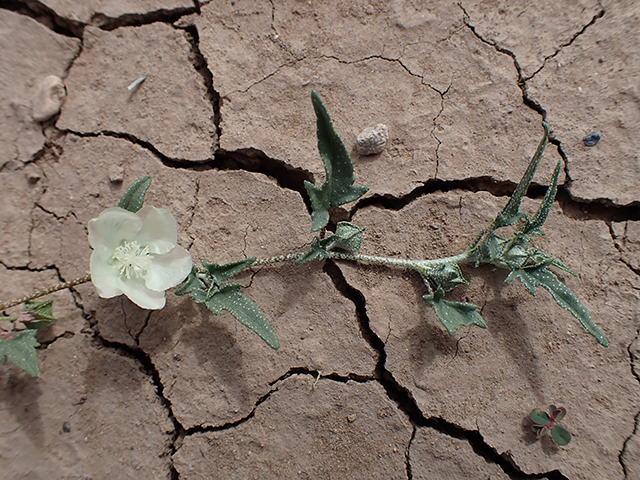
[149, 369]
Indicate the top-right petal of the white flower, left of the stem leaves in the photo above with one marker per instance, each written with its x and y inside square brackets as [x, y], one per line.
[159, 230]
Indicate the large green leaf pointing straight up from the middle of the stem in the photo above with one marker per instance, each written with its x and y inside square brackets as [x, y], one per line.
[338, 188]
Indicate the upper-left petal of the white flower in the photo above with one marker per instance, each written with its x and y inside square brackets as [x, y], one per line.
[112, 226]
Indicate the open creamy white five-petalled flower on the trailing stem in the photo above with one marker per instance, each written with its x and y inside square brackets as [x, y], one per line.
[137, 254]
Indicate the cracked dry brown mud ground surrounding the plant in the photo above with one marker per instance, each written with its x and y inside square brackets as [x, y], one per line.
[367, 384]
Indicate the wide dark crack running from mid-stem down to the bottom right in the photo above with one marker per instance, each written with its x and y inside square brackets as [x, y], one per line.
[403, 397]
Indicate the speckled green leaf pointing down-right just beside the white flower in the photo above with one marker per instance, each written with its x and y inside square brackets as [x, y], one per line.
[244, 310]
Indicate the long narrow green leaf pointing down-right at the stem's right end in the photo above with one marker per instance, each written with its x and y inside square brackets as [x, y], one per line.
[540, 276]
